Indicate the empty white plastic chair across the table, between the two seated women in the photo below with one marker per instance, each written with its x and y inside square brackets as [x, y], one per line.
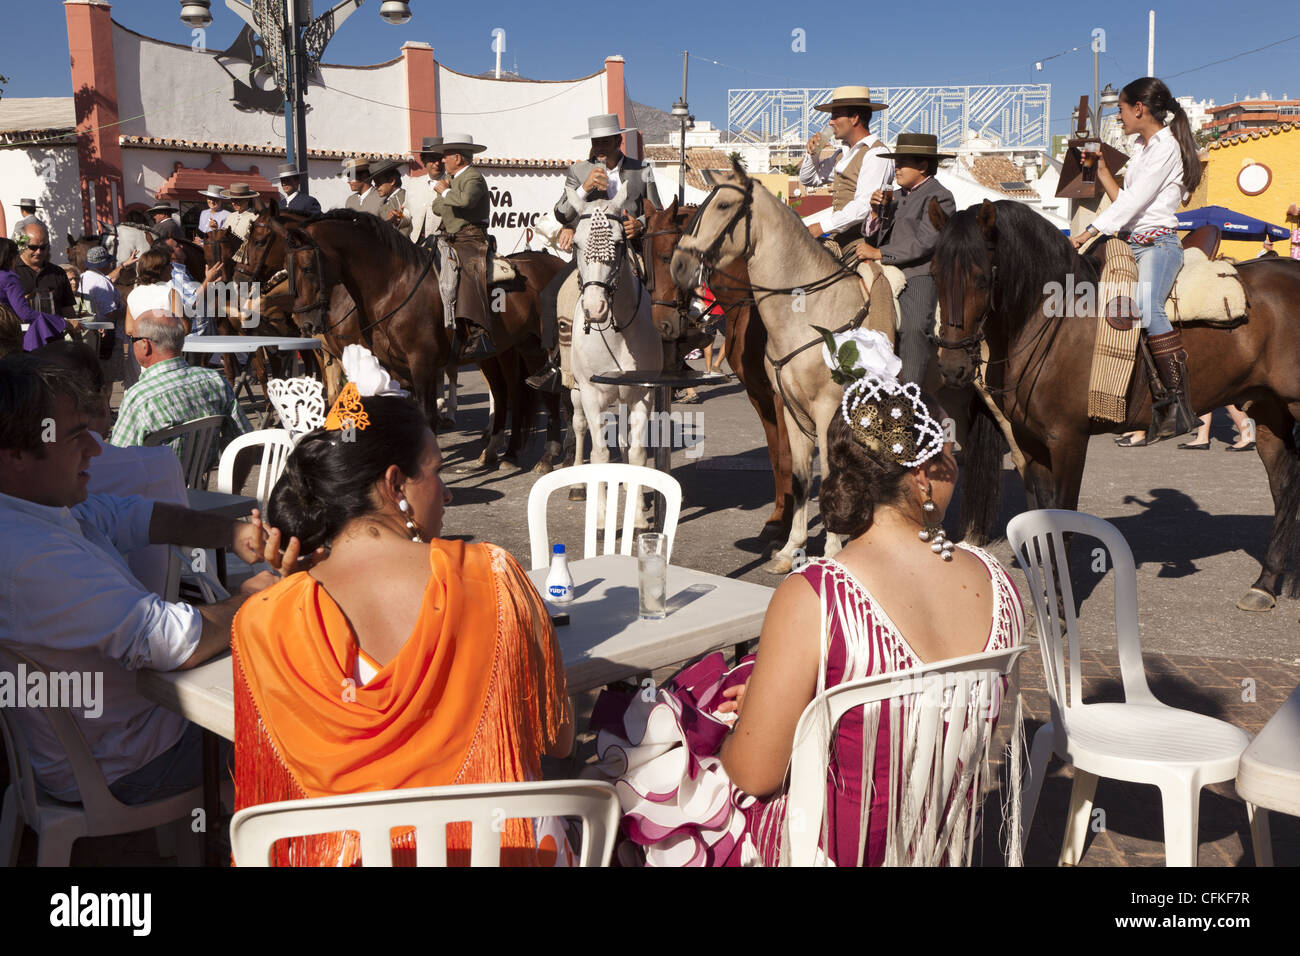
[603, 478]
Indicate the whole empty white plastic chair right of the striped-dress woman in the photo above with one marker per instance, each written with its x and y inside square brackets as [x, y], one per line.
[1142, 739]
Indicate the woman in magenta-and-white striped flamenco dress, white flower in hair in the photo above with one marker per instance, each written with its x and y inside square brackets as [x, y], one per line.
[701, 764]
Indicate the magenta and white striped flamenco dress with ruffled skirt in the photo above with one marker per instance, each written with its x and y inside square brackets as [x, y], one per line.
[661, 750]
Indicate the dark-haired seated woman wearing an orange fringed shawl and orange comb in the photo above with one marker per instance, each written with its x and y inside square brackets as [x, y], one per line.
[393, 663]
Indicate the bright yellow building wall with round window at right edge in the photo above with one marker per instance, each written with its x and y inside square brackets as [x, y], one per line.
[1280, 152]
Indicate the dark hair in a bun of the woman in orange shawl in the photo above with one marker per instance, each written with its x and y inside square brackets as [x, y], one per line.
[328, 479]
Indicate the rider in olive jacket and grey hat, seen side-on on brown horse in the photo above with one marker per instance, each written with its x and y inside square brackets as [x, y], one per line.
[465, 206]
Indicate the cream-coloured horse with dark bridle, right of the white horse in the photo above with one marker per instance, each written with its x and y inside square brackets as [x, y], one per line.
[800, 287]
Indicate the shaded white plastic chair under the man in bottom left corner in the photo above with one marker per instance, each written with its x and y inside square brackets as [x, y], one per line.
[60, 825]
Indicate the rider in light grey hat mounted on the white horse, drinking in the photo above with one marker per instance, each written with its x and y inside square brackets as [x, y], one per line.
[608, 172]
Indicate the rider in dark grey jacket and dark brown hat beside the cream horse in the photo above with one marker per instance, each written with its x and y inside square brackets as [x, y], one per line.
[907, 239]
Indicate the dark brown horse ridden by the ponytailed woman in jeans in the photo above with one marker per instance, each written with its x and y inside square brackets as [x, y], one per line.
[994, 267]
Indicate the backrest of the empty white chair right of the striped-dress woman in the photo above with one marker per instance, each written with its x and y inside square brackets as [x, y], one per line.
[1039, 539]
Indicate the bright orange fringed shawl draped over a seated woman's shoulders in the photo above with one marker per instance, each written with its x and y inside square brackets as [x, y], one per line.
[476, 695]
